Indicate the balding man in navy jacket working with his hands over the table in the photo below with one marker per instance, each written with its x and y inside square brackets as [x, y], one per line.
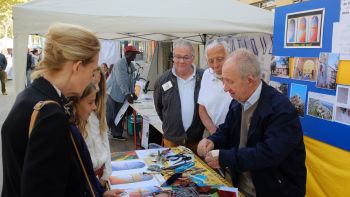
[261, 142]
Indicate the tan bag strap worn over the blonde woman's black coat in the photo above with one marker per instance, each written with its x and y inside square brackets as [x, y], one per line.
[33, 118]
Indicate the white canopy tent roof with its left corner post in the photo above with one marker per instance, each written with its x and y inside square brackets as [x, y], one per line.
[136, 19]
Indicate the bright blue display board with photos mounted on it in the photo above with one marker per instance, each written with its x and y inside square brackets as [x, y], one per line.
[333, 133]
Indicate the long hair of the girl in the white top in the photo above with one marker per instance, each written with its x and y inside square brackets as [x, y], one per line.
[101, 103]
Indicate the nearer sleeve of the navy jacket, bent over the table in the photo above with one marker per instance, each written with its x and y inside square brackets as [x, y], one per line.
[281, 133]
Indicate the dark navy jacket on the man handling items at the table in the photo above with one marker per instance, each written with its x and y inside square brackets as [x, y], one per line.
[275, 151]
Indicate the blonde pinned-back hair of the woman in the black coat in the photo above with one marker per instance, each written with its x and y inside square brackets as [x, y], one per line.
[66, 42]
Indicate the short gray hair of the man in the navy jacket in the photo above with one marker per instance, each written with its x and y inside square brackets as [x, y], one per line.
[247, 63]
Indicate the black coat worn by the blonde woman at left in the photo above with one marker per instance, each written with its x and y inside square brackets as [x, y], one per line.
[45, 164]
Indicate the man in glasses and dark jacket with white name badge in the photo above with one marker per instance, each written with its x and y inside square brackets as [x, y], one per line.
[175, 99]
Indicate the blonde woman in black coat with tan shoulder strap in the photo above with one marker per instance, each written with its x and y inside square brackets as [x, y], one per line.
[45, 163]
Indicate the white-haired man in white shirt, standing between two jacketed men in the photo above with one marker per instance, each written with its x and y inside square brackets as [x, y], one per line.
[213, 101]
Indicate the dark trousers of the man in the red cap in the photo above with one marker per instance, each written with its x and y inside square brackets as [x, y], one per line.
[112, 111]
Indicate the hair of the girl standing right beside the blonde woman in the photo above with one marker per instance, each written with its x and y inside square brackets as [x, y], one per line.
[81, 124]
